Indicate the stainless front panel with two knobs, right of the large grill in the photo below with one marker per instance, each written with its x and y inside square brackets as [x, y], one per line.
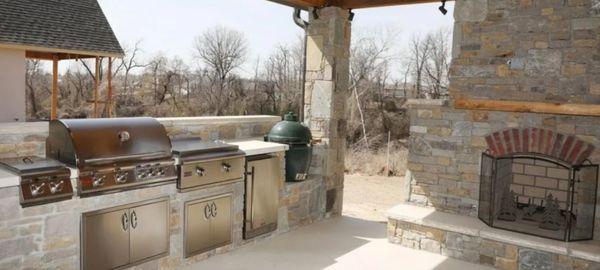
[196, 174]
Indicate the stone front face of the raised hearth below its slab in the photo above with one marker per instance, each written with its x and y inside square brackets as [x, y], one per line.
[478, 250]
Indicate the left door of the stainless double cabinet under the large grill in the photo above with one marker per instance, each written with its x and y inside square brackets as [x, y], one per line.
[106, 240]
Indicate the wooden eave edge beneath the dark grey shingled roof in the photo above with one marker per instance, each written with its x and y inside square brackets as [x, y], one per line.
[34, 52]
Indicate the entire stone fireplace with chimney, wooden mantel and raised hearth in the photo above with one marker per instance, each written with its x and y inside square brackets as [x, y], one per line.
[514, 144]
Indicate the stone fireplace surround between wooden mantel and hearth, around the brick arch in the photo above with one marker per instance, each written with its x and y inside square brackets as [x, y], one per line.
[446, 146]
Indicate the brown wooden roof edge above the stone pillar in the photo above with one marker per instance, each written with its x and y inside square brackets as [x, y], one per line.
[350, 4]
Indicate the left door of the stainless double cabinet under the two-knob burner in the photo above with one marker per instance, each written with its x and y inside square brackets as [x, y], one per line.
[197, 227]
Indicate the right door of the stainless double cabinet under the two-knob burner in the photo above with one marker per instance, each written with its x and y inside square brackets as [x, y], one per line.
[220, 224]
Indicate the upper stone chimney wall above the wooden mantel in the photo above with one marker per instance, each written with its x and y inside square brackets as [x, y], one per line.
[532, 50]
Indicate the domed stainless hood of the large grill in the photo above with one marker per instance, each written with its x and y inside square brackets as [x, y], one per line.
[92, 142]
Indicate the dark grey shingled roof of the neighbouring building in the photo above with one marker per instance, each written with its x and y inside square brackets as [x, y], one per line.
[65, 26]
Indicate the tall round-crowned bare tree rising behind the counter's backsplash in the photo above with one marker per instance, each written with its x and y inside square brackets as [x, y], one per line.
[222, 50]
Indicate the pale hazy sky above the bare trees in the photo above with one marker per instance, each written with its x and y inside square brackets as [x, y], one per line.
[170, 27]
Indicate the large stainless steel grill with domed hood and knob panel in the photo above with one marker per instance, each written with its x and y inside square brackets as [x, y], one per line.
[113, 154]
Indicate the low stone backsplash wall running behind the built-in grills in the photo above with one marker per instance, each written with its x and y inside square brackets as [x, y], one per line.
[24, 139]
